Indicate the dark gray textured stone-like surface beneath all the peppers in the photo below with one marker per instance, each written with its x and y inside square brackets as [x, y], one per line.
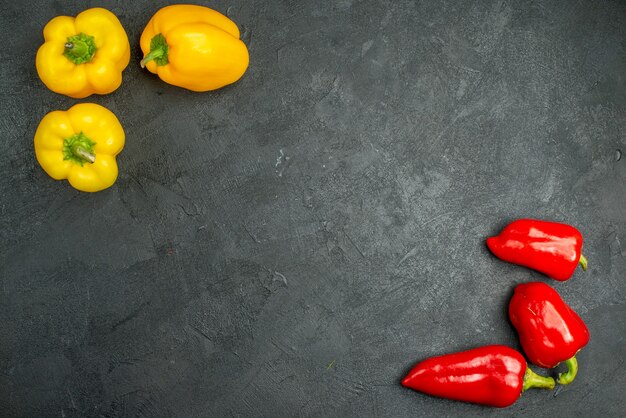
[291, 245]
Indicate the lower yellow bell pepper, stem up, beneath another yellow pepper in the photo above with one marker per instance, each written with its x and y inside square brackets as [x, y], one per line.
[80, 145]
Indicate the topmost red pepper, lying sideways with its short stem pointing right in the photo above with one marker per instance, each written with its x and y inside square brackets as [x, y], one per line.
[549, 247]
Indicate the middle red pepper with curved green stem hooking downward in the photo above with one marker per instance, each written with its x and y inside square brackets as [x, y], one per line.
[550, 331]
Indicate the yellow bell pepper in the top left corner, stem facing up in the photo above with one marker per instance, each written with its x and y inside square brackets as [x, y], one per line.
[83, 55]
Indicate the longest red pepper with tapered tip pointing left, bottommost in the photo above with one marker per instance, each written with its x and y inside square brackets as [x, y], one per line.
[494, 375]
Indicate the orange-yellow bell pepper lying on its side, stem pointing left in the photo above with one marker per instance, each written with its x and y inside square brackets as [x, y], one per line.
[193, 47]
